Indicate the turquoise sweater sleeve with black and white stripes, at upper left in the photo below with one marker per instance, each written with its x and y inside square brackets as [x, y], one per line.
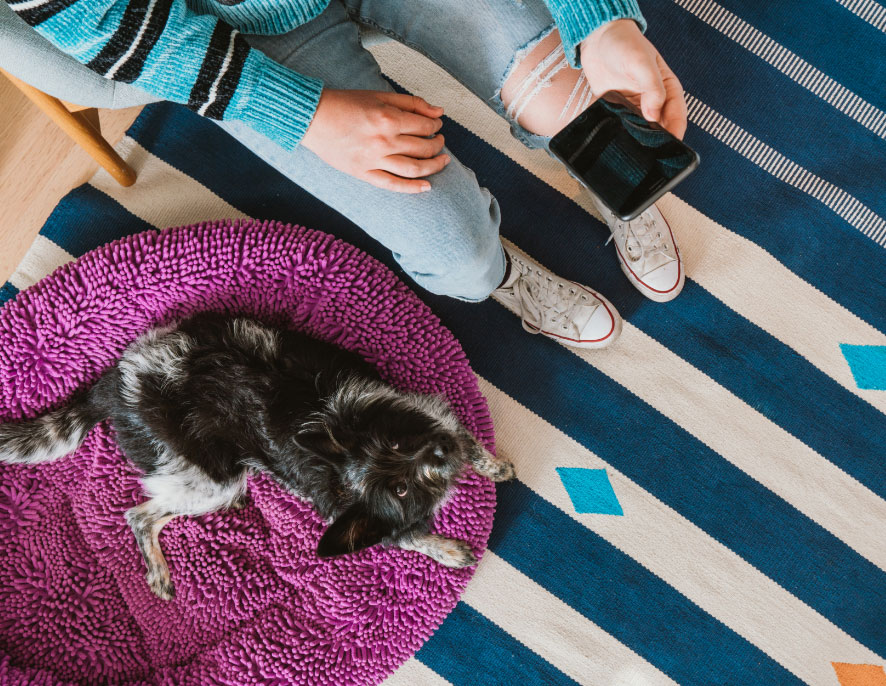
[164, 48]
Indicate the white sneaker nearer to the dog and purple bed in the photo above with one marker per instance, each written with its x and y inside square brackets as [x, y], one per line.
[563, 310]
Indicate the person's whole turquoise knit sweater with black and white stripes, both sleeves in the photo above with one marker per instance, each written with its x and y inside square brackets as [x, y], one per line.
[201, 59]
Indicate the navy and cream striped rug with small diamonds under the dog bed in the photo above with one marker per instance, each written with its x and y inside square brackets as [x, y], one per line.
[705, 502]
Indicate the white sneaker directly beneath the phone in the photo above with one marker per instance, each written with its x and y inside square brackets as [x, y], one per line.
[647, 253]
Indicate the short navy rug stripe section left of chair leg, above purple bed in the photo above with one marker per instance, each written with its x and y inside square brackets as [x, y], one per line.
[87, 218]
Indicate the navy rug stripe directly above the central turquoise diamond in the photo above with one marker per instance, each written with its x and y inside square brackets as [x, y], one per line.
[675, 467]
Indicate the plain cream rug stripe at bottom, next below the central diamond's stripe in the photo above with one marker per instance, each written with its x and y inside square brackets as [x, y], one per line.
[552, 629]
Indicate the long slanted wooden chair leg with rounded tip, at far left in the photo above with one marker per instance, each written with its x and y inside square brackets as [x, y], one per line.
[79, 126]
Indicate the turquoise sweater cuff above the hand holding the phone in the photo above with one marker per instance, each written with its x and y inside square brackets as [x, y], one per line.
[578, 19]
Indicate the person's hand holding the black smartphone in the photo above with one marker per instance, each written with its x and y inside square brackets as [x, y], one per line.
[617, 57]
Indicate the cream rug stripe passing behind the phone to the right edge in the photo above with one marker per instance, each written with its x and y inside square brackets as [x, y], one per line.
[737, 271]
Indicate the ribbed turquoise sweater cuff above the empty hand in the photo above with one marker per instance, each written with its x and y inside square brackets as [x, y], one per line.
[282, 102]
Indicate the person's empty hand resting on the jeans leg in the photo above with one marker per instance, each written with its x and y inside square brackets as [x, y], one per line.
[378, 137]
